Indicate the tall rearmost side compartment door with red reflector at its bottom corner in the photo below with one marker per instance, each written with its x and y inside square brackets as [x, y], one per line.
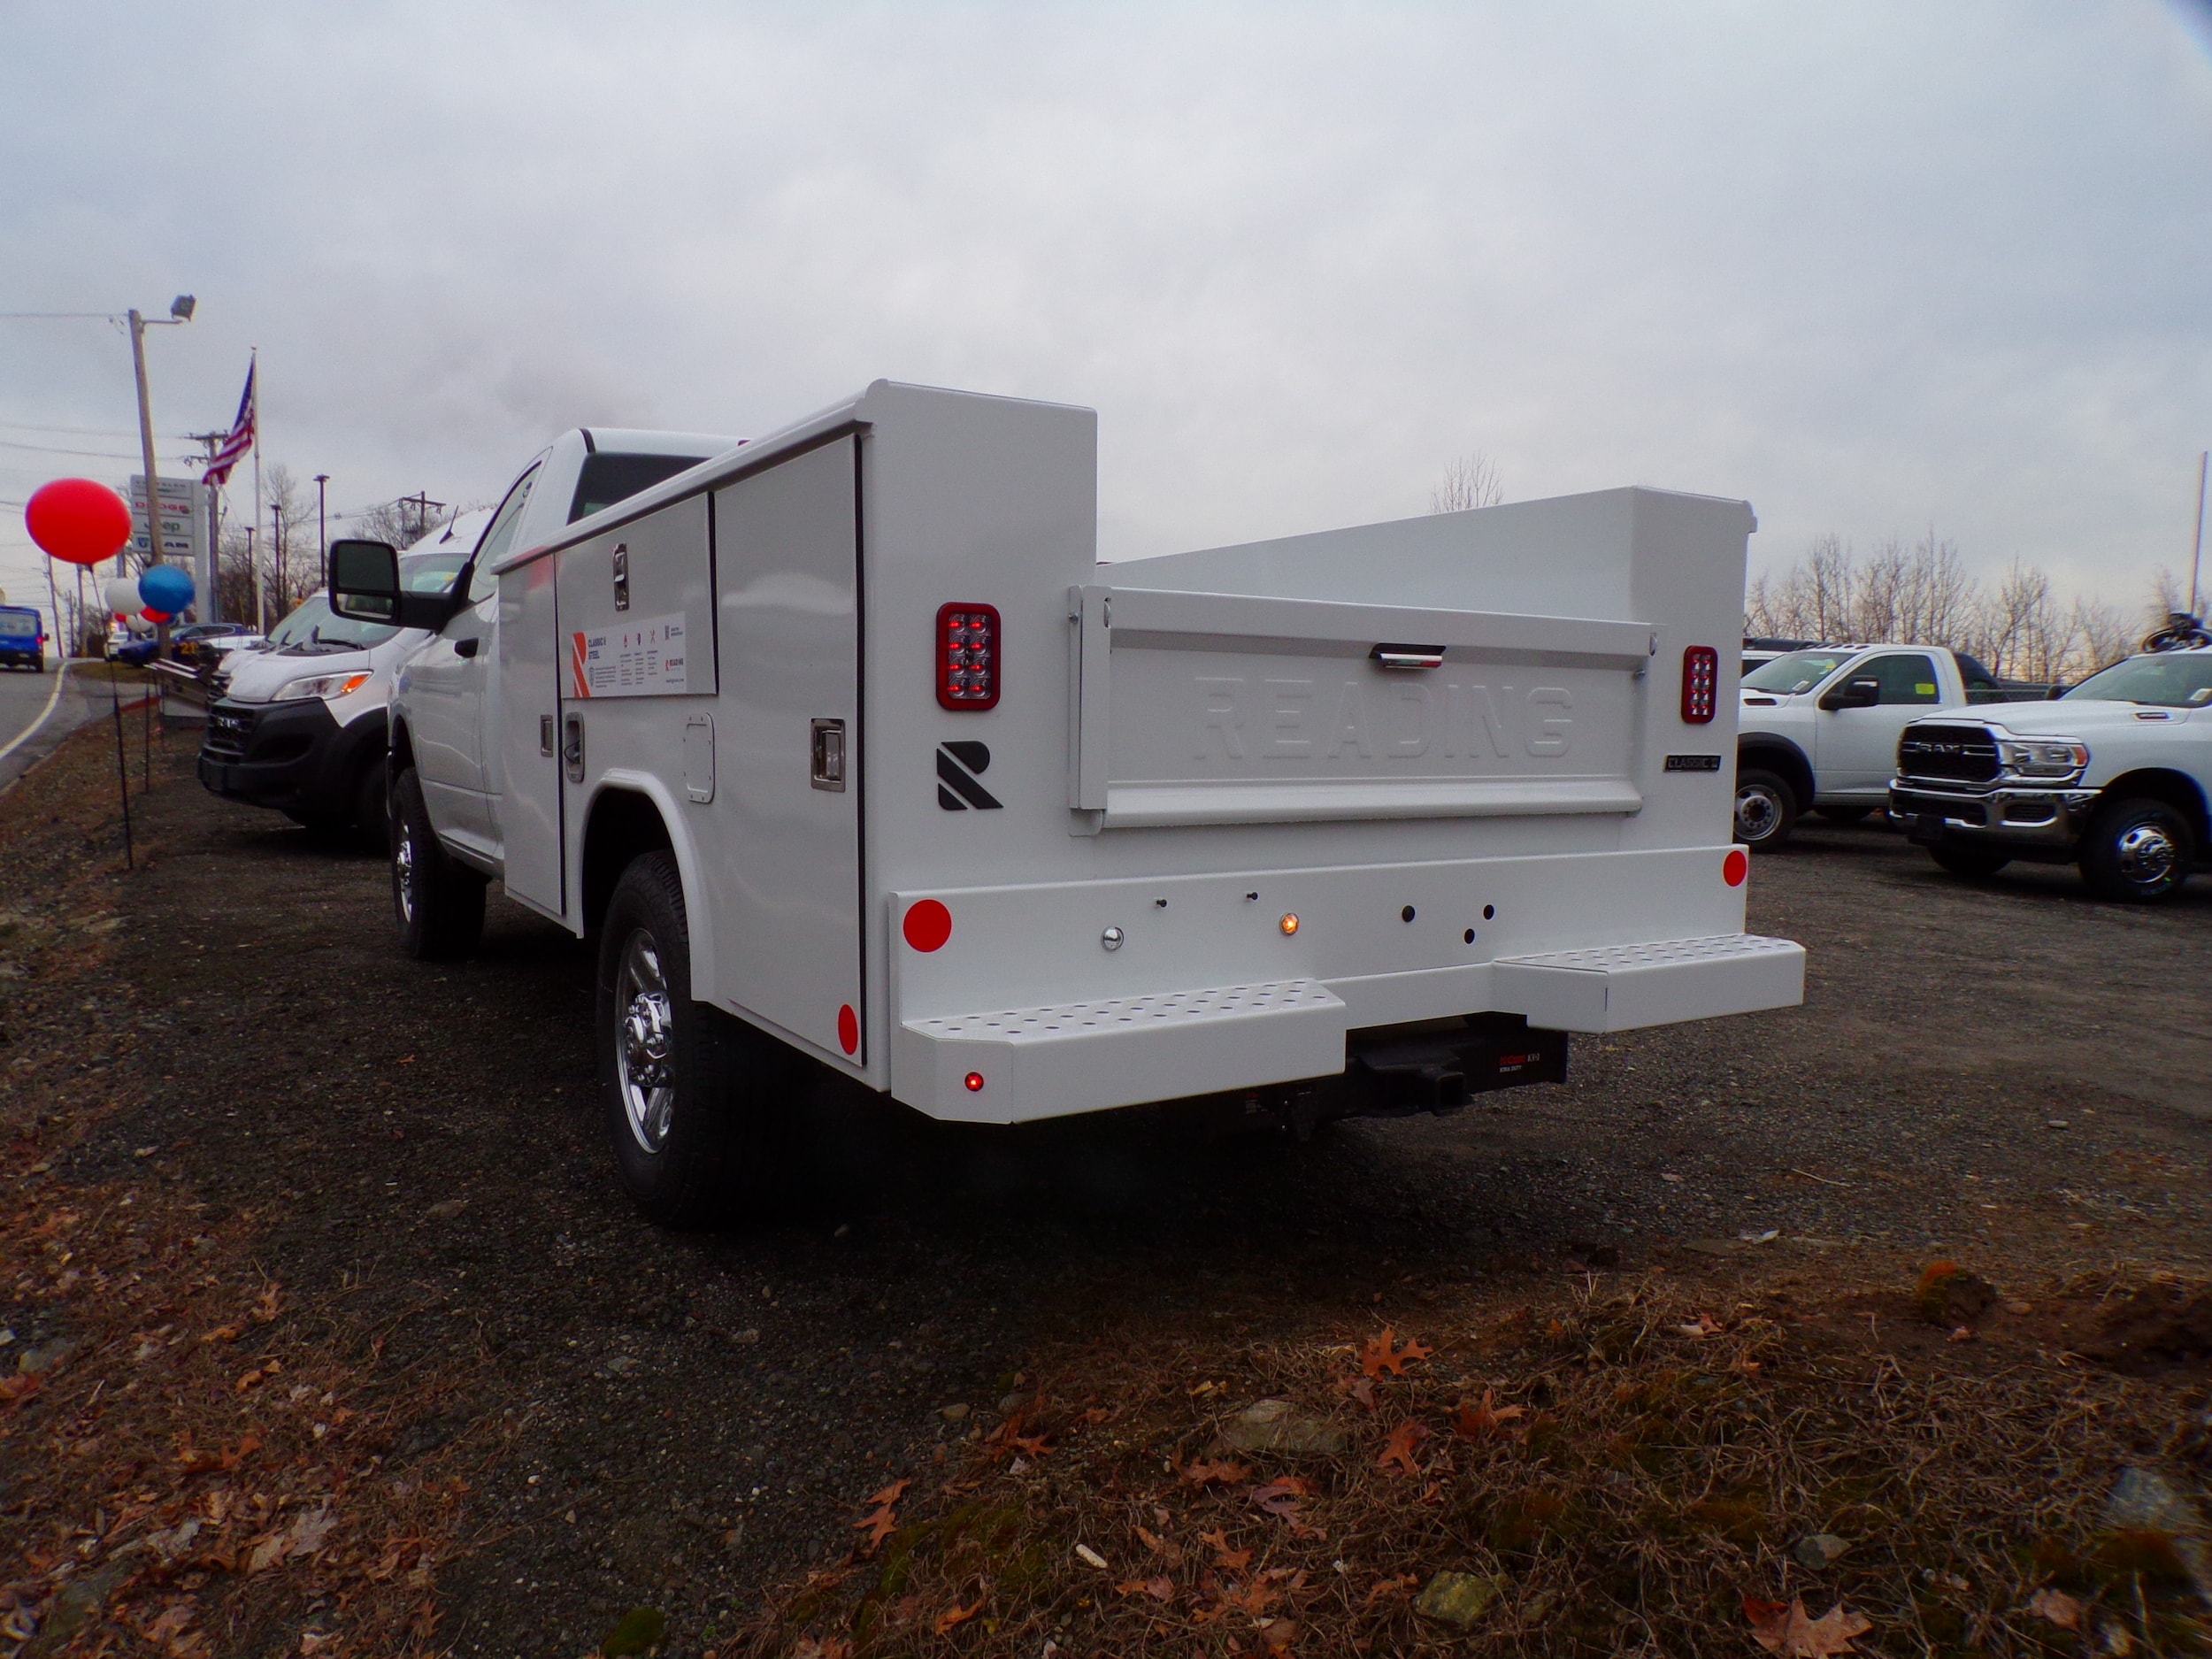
[791, 747]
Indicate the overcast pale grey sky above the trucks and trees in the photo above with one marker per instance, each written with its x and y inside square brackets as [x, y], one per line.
[1872, 267]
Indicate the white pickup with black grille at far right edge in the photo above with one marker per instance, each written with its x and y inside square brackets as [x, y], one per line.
[2116, 778]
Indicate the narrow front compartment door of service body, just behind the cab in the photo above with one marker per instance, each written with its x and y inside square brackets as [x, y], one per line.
[530, 662]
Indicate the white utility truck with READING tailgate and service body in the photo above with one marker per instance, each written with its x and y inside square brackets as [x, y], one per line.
[851, 753]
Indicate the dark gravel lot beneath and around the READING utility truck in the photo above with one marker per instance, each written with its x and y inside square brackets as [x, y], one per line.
[2010, 1074]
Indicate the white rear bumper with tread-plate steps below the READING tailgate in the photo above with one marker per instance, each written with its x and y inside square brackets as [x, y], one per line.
[1085, 997]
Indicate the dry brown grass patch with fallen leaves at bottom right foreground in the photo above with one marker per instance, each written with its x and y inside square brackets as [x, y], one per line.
[1623, 1481]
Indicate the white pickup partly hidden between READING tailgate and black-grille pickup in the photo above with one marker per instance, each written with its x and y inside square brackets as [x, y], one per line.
[1819, 729]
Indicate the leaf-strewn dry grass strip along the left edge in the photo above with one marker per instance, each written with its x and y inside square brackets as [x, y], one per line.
[189, 1463]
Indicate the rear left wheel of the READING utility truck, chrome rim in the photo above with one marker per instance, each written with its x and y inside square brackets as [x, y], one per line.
[687, 1092]
